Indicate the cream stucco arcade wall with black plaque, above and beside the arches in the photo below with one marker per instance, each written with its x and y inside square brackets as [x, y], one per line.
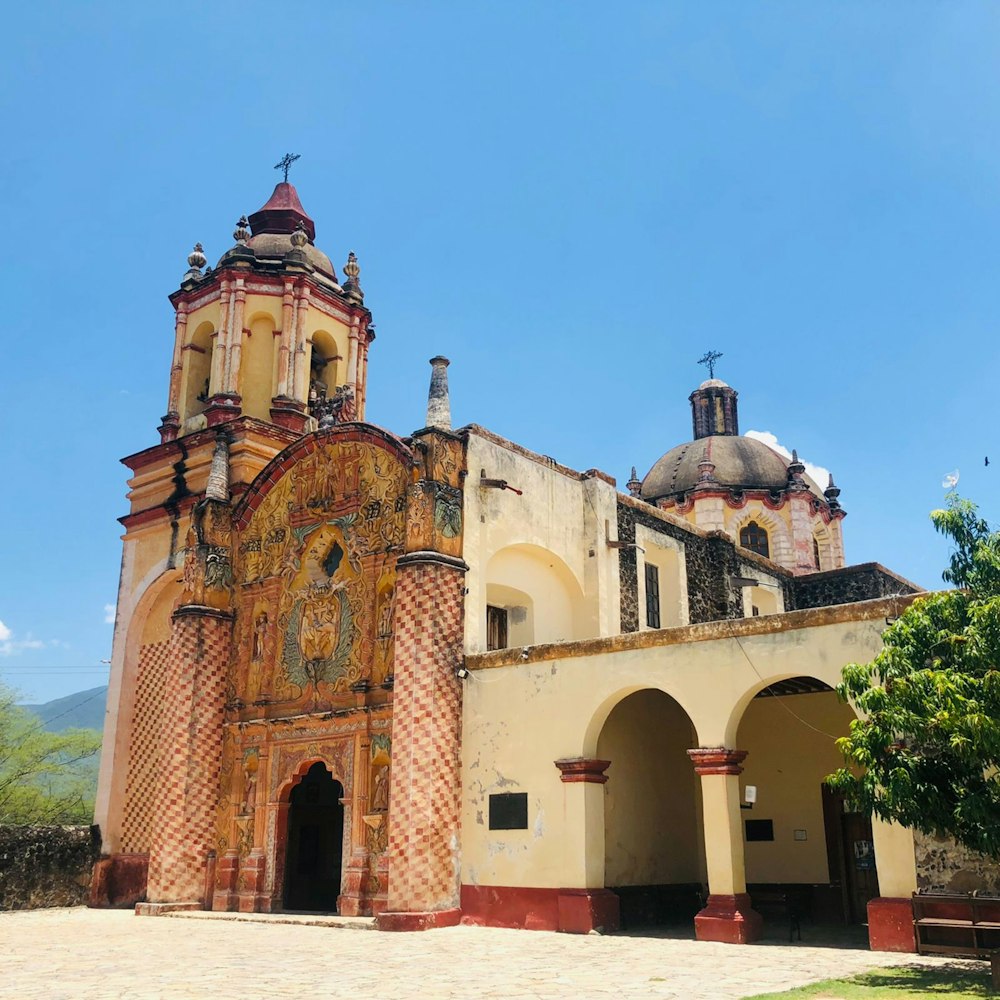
[521, 717]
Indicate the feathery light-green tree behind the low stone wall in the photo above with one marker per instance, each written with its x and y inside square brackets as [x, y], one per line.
[45, 778]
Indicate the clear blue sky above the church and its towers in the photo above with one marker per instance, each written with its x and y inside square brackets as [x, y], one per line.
[572, 201]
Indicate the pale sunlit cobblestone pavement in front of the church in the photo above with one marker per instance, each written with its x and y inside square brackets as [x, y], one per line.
[81, 954]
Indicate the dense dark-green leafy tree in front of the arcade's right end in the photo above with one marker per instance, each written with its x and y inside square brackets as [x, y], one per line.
[926, 750]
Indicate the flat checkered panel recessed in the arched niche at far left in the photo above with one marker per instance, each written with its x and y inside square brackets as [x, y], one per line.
[144, 748]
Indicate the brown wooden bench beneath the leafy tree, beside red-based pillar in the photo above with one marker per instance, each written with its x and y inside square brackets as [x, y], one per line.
[946, 923]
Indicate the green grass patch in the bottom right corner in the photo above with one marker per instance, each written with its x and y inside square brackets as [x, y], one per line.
[957, 982]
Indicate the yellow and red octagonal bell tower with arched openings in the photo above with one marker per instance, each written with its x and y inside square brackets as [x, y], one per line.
[269, 333]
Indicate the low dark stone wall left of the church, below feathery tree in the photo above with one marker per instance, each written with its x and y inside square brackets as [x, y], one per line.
[45, 866]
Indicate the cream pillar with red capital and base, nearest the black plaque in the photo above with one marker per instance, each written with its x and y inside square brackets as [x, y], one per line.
[590, 906]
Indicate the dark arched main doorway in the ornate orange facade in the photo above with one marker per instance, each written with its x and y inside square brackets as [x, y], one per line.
[314, 845]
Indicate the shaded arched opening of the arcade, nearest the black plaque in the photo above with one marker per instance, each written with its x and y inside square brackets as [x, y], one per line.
[653, 841]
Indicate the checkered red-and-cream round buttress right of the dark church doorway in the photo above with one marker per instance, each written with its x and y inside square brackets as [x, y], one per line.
[426, 732]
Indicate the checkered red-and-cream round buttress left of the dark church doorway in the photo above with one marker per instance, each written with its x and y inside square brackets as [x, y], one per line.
[190, 753]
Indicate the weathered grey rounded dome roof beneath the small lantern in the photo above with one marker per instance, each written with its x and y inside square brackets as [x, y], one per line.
[740, 463]
